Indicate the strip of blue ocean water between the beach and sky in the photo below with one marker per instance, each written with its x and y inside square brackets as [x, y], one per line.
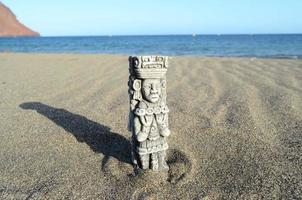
[265, 46]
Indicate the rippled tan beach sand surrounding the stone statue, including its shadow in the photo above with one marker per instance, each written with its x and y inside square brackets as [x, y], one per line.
[236, 129]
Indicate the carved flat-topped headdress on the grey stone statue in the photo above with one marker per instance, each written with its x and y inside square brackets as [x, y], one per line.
[144, 67]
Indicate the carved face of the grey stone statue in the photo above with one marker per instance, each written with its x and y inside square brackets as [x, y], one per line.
[151, 89]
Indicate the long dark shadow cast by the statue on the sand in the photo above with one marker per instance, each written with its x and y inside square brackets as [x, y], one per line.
[98, 137]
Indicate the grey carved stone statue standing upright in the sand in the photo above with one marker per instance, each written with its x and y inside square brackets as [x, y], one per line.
[148, 116]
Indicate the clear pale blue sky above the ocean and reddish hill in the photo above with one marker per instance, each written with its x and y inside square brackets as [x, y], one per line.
[157, 17]
